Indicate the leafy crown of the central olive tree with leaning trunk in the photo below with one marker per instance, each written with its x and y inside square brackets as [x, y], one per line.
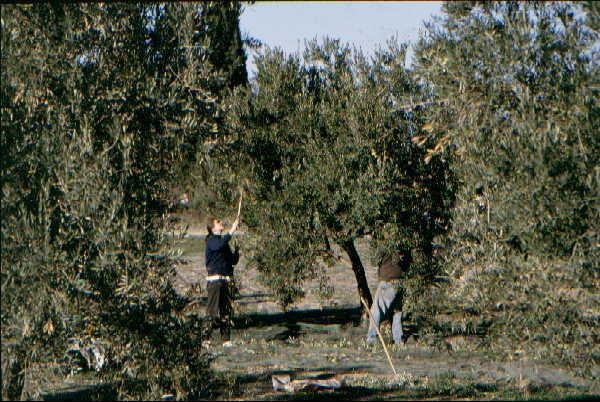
[324, 142]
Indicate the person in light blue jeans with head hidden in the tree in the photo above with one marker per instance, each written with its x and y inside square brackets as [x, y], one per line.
[392, 268]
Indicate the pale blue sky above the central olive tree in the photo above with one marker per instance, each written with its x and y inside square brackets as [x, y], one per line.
[366, 24]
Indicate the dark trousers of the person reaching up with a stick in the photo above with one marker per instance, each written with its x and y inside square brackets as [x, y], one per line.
[218, 310]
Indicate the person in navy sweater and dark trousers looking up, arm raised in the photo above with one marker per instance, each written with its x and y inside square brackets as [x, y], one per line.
[219, 261]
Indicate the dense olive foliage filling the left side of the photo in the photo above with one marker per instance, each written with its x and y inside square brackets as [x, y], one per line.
[103, 109]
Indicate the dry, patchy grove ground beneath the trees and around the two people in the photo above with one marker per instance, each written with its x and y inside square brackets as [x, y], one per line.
[325, 338]
